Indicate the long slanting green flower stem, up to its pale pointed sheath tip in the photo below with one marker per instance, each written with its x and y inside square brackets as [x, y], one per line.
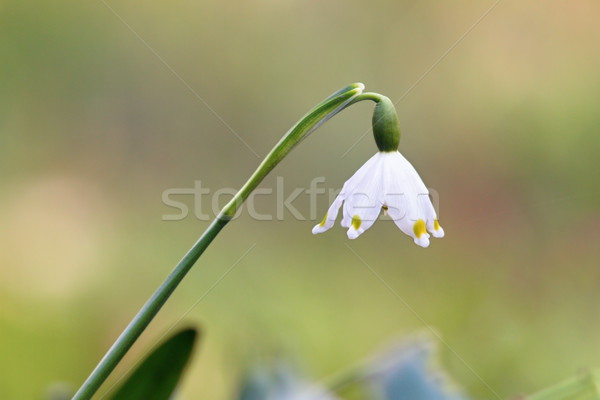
[311, 121]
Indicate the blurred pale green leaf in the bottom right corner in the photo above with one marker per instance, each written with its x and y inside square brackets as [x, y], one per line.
[586, 387]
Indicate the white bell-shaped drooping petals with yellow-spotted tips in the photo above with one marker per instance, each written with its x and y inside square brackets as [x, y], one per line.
[388, 182]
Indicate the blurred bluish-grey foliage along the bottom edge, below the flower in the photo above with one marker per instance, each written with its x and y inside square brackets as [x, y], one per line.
[403, 371]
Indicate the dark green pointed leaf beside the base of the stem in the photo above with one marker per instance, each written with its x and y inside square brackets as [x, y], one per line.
[157, 376]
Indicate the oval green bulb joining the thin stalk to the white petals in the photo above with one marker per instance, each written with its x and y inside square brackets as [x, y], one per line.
[386, 128]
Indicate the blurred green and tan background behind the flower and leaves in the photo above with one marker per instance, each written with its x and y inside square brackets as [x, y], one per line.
[94, 127]
